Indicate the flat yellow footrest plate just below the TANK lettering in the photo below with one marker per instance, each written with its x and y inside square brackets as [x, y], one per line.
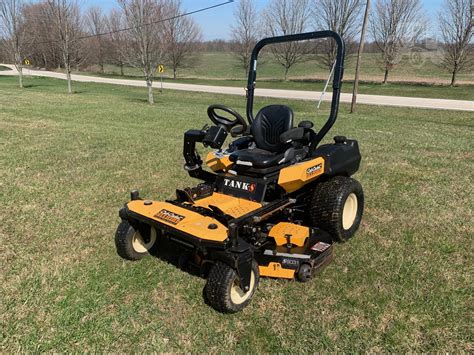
[233, 206]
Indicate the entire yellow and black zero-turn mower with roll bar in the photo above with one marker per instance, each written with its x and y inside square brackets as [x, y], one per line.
[273, 205]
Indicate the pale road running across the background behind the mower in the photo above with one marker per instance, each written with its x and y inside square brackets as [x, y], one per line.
[417, 102]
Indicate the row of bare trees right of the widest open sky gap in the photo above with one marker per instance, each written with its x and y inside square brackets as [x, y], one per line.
[394, 26]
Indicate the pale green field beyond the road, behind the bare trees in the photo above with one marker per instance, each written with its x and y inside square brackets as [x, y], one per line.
[224, 65]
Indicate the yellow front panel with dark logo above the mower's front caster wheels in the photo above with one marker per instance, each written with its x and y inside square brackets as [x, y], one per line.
[181, 219]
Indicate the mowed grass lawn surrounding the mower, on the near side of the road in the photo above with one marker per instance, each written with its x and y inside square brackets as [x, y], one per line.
[68, 162]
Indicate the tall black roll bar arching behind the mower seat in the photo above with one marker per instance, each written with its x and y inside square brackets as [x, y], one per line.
[338, 73]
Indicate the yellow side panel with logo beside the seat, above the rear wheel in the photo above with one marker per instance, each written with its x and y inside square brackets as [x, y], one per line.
[296, 176]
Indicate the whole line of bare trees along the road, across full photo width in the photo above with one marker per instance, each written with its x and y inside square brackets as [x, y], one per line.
[144, 33]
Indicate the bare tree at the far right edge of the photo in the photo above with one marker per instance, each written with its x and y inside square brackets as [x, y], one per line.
[455, 22]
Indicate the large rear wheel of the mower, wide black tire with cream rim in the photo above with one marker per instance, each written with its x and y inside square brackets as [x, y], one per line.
[337, 206]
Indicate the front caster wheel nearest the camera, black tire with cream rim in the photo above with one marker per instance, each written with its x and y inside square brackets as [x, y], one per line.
[218, 290]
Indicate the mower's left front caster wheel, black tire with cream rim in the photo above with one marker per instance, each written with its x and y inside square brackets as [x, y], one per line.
[129, 242]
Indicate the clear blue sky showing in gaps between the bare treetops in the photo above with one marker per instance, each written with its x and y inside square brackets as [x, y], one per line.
[215, 23]
